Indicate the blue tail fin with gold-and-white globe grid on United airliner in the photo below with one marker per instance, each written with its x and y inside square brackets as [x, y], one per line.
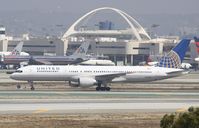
[175, 57]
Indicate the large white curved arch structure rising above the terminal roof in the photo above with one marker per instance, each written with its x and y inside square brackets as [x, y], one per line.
[136, 28]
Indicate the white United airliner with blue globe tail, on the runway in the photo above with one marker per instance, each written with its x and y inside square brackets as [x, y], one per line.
[87, 76]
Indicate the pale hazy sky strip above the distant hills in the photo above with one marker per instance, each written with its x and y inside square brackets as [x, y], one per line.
[131, 6]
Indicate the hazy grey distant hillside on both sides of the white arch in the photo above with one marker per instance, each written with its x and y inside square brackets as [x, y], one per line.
[56, 23]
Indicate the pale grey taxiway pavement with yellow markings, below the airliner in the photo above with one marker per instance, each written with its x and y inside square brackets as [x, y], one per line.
[95, 102]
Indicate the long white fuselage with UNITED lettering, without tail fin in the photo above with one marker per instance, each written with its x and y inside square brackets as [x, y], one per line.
[70, 73]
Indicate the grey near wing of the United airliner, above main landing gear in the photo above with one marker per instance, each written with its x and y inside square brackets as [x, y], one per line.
[109, 77]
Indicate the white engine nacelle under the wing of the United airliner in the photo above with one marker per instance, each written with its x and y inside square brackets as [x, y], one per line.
[83, 82]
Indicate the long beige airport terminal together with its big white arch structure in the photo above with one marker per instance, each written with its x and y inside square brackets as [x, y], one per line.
[127, 46]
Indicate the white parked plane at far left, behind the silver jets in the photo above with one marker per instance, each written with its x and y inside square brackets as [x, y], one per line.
[16, 51]
